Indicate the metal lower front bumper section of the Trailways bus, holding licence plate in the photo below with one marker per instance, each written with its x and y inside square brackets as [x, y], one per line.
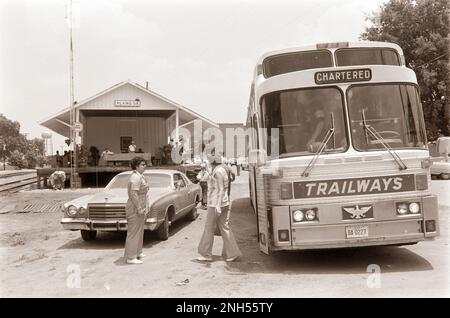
[384, 228]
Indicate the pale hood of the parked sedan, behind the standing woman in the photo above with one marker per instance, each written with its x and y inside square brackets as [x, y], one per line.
[116, 196]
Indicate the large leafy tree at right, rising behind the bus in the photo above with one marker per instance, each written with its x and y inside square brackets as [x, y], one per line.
[421, 28]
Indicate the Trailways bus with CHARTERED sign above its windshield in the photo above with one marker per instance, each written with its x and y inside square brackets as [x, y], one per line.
[338, 154]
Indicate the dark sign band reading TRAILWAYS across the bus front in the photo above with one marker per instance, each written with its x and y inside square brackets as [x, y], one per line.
[356, 186]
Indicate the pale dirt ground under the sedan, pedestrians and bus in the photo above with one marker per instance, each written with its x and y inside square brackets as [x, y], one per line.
[39, 258]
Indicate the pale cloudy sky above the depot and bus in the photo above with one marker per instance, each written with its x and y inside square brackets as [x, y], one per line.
[200, 54]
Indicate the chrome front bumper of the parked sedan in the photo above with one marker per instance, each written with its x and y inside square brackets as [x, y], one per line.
[103, 225]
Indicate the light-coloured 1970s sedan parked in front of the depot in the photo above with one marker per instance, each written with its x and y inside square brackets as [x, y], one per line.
[171, 197]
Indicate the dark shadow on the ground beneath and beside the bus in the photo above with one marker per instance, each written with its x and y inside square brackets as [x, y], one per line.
[340, 261]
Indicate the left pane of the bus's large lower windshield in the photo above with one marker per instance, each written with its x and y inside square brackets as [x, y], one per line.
[303, 117]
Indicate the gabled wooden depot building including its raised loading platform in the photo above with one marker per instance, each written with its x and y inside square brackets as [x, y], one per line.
[115, 117]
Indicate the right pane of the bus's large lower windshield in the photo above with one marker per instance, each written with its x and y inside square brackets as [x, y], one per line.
[393, 110]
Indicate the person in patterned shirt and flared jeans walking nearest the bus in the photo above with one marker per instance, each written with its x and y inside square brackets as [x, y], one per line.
[217, 214]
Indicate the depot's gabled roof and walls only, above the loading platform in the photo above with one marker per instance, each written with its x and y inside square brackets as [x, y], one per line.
[127, 112]
